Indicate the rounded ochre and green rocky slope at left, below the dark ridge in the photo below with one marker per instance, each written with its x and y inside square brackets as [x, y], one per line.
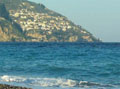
[9, 31]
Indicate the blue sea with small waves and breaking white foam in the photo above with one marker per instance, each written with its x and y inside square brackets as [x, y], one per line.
[61, 65]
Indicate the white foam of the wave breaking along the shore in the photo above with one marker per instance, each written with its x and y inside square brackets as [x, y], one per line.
[50, 82]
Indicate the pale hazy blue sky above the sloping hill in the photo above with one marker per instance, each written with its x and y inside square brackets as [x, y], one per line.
[100, 17]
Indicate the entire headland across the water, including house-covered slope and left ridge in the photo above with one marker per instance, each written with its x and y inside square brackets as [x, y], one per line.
[22, 20]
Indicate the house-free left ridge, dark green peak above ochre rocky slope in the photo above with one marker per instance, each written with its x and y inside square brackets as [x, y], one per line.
[9, 30]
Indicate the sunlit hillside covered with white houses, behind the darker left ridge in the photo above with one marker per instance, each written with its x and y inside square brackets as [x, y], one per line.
[38, 23]
